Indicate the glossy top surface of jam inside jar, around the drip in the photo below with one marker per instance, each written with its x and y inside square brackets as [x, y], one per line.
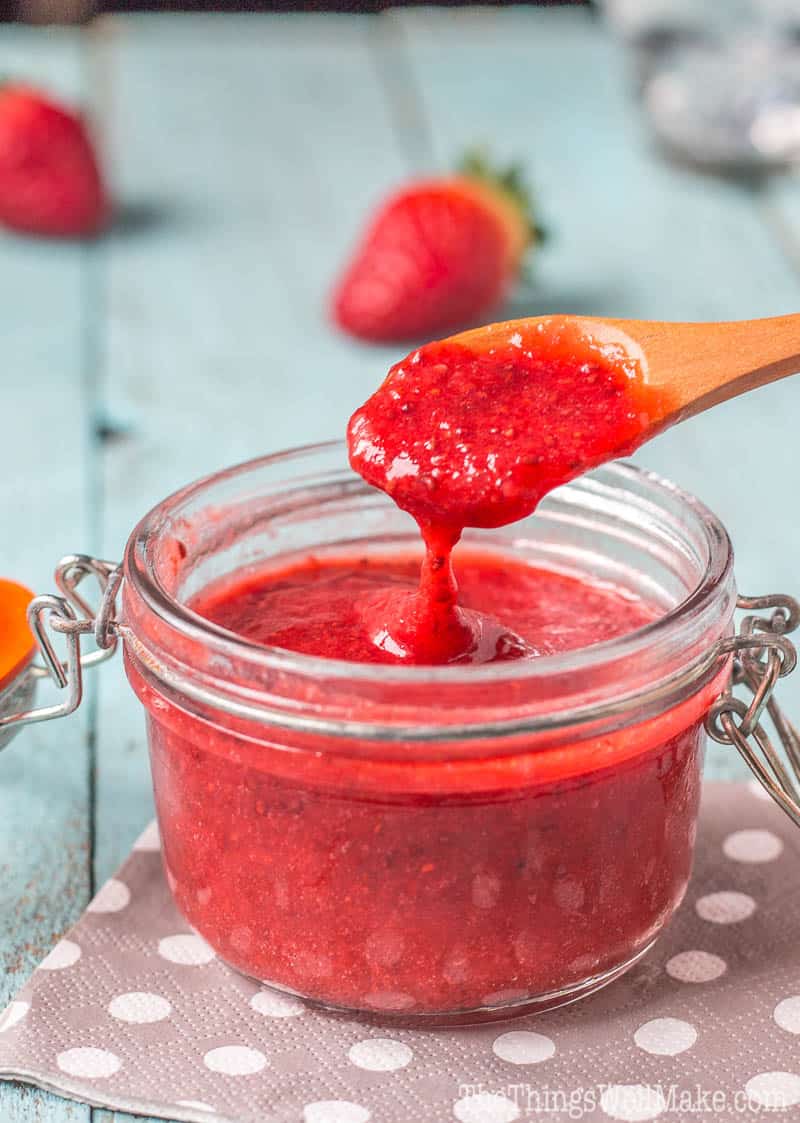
[319, 607]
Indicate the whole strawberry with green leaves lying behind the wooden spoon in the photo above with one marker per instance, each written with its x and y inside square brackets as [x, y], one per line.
[441, 254]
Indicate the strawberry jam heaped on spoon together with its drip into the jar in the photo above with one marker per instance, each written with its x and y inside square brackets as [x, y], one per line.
[475, 436]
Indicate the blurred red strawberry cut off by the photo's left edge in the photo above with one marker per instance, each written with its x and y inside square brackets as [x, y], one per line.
[50, 179]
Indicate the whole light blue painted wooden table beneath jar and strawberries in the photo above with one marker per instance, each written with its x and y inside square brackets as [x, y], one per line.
[248, 151]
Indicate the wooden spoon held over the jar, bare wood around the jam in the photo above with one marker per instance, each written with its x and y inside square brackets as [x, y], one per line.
[688, 367]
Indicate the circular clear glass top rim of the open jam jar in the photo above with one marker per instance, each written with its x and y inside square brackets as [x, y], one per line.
[185, 620]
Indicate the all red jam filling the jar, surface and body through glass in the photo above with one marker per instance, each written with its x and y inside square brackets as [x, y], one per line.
[423, 888]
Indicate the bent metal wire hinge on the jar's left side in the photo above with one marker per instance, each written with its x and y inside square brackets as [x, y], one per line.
[71, 617]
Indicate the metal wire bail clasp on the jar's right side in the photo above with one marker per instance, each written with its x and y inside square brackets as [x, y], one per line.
[762, 655]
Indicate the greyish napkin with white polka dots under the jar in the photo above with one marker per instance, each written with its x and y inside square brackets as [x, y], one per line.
[134, 1011]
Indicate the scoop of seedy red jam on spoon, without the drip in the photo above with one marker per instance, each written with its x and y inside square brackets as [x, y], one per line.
[463, 439]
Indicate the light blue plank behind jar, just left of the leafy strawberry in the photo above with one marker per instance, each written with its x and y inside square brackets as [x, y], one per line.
[219, 348]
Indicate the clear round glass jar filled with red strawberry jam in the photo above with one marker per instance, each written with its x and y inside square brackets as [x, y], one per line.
[430, 844]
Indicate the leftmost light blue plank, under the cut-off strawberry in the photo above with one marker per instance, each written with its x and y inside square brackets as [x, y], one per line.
[46, 801]
